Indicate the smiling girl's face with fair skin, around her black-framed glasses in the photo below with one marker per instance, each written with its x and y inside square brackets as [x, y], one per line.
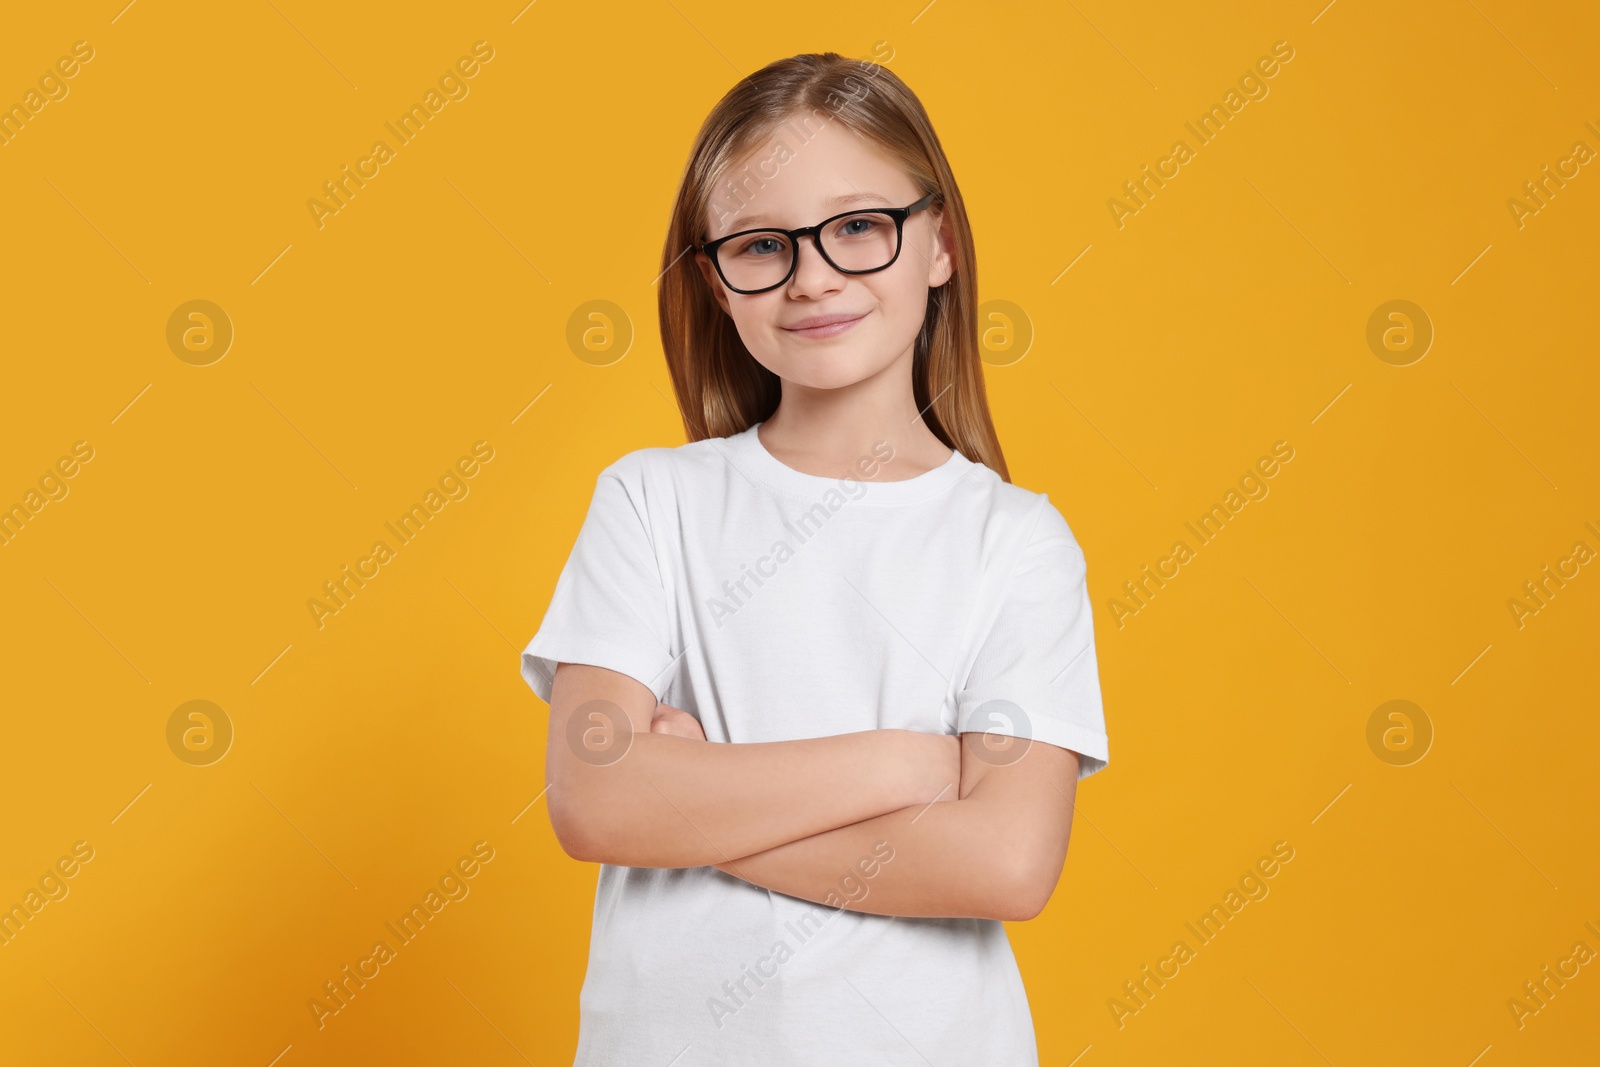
[812, 183]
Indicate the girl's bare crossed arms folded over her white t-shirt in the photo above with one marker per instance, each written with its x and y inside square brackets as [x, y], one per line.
[978, 823]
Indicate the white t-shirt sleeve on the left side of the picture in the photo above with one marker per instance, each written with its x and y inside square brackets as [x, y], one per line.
[610, 602]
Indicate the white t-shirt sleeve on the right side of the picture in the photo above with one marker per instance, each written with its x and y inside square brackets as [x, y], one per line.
[1036, 674]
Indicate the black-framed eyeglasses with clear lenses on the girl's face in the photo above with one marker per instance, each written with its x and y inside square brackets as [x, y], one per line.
[852, 242]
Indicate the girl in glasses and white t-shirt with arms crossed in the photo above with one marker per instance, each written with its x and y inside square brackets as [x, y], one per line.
[822, 681]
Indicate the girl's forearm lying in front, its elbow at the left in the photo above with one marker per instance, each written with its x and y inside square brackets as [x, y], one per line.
[673, 802]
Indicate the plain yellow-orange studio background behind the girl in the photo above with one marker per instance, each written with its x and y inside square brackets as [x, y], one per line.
[431, 313]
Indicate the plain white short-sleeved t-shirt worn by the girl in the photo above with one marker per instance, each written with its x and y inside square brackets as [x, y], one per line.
[775, 605]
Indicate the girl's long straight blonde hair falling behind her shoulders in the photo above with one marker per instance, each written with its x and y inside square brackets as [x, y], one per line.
[721, 388]
